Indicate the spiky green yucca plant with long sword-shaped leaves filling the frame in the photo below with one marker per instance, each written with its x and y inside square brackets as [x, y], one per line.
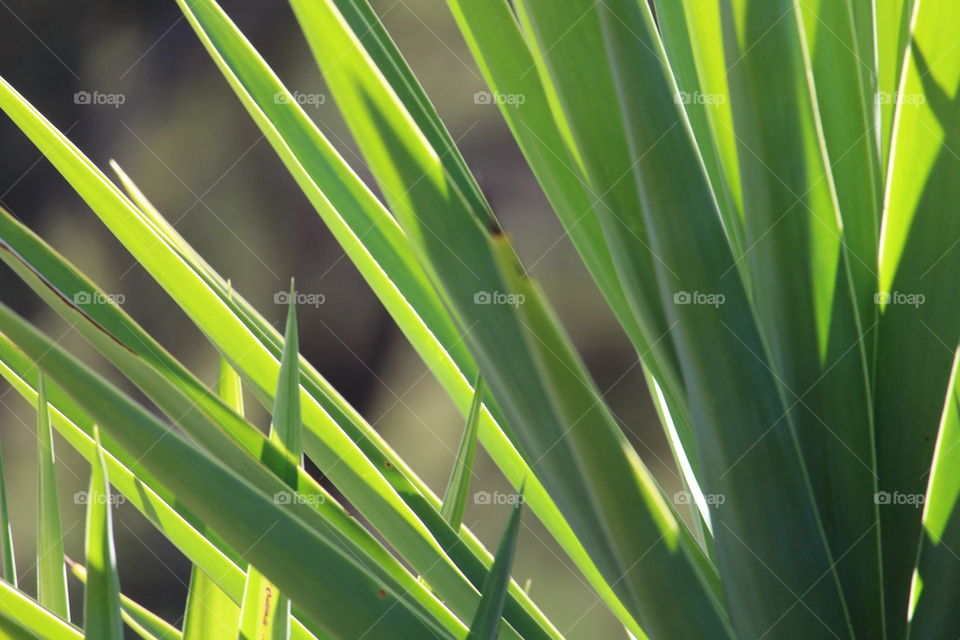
[763, 191]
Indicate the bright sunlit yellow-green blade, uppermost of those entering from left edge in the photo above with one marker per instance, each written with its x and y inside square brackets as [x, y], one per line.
[339, 456]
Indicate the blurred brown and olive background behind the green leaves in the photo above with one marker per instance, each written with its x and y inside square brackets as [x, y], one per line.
[176, 127]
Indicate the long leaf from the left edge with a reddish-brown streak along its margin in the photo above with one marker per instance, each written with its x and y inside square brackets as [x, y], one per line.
[220, 430]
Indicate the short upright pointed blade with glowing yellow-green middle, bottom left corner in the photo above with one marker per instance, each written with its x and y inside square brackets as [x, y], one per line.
[101, 600]
